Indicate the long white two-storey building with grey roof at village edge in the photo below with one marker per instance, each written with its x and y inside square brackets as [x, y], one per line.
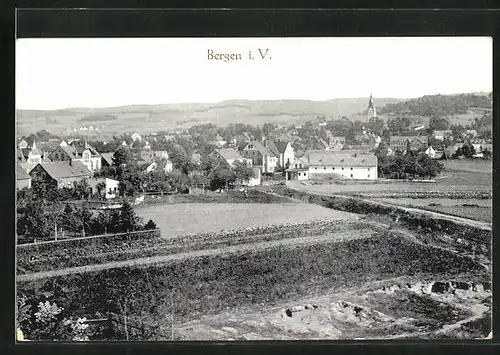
[343, 164]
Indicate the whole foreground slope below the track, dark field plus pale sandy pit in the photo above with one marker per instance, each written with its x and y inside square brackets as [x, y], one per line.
[254, 288]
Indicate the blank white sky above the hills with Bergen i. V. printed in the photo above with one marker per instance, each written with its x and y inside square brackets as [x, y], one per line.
[62, 73]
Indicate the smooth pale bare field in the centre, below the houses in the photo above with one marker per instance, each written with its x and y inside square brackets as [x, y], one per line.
[183, 219]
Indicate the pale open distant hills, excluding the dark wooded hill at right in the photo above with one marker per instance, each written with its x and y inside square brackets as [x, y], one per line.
[145, 118]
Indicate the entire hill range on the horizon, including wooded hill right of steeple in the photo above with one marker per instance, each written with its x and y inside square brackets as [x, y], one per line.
[462, 108]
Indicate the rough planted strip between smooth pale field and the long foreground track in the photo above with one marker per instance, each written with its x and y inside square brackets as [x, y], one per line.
[52, 256]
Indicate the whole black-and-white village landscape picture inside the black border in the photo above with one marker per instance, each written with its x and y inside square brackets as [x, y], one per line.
[253, 188]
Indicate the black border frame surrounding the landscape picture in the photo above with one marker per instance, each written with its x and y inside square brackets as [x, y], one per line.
[179, 21]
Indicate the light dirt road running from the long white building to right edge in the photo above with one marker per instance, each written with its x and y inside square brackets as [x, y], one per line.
[466, 221]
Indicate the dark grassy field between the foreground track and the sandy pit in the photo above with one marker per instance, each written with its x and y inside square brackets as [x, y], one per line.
[213, 284]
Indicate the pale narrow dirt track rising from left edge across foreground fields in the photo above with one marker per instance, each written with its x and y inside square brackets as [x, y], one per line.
[330, 237]
